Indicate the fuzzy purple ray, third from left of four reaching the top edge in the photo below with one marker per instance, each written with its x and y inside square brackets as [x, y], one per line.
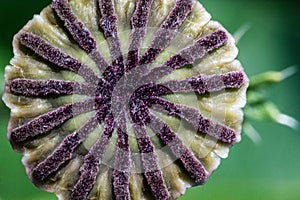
[139, 23]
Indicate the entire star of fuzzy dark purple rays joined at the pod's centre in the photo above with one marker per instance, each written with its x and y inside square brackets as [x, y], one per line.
[124, 92]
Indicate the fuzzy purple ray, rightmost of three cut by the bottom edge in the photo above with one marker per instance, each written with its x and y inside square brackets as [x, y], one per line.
[152, 172]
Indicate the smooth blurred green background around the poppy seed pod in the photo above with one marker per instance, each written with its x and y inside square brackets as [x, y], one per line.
[269, 170]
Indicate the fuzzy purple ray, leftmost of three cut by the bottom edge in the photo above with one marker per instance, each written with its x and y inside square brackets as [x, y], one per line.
[90, 168]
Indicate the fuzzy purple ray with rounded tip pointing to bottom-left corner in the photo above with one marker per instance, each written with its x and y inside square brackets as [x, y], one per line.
[64, 151]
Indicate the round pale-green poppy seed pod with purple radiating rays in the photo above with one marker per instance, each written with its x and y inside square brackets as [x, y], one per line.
[123, 99]
